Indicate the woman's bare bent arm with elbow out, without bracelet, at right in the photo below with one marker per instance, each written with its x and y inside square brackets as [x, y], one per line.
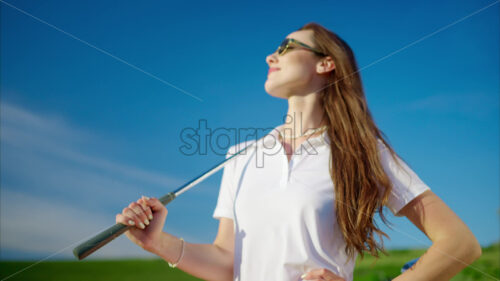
[454, 247]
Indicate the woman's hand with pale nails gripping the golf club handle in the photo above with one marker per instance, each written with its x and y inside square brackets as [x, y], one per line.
[147, 217]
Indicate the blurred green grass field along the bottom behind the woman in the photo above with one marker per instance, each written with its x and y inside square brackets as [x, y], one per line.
[124, 270]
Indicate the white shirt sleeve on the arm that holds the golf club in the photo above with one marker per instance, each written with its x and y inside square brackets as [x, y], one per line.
[224, 207]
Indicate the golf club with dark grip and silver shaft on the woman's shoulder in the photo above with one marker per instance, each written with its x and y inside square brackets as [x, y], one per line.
[93, 244]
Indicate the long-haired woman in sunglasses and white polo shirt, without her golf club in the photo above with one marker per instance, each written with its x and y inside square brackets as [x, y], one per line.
[307, 213]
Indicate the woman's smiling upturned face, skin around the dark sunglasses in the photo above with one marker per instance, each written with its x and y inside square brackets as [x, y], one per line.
[296, 70]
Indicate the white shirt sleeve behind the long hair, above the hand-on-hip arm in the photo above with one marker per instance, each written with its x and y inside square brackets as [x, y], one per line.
[406, 185]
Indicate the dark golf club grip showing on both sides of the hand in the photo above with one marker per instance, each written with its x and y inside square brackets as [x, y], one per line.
[93, 244]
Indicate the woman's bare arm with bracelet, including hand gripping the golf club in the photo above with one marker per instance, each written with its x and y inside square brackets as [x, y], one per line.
[206, 261]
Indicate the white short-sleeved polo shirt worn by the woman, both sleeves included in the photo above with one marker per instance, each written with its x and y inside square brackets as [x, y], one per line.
[283, 212]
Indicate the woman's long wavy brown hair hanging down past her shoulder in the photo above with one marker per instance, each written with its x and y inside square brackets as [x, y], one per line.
[361, 185]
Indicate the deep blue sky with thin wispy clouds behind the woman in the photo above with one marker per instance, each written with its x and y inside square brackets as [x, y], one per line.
[95, 94]
